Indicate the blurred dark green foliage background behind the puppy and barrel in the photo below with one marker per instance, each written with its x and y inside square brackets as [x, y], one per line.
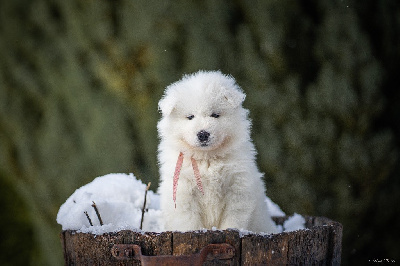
[80, 81]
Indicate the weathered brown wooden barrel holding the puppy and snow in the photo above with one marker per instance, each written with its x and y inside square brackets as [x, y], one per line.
[318, 244]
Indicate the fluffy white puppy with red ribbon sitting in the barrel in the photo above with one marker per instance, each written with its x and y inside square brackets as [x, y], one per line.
[205, 142]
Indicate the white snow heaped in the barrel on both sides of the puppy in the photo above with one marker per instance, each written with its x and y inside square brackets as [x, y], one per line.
[119, 200]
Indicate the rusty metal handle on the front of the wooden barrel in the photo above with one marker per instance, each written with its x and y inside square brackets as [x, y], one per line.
[210, 252]
